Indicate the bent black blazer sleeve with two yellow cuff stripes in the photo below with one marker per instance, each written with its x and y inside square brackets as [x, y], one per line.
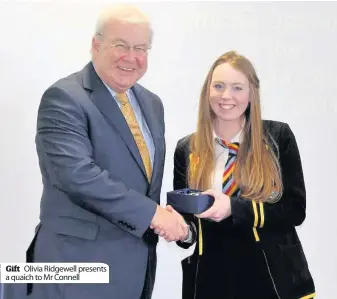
[290, 210]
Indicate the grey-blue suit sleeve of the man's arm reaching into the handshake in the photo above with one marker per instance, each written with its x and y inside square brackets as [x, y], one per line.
[65, 151]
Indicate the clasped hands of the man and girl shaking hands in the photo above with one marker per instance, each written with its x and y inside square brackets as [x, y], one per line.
[169, 224]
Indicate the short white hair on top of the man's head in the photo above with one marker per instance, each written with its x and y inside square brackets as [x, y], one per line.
[124, 13]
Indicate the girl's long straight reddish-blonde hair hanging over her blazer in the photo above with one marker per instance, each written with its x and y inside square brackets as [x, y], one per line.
[257, 170]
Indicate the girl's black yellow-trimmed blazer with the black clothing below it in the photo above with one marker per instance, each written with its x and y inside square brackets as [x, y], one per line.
[266, 229]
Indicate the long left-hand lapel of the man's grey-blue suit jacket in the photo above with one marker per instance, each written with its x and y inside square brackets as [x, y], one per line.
[104, 101]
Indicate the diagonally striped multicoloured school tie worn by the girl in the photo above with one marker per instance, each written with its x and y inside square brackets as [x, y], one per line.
[229, 185]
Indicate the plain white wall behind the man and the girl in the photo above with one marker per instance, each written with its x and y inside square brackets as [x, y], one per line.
[293, 46]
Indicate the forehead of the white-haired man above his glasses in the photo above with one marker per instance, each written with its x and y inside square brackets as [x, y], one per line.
[130, 32]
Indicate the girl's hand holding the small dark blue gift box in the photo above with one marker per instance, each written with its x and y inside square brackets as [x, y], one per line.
[221, 207]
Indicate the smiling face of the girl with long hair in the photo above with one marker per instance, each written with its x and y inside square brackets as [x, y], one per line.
[229, 93]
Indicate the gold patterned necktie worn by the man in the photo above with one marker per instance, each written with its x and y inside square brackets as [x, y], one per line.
[131, 120]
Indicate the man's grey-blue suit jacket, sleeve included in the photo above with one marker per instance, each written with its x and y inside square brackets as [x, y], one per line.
[97, 204]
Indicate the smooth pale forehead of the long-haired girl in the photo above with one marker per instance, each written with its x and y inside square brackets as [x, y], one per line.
[227, 74]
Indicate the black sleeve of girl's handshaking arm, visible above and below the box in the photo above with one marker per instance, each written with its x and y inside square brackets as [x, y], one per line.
[180, 182]
